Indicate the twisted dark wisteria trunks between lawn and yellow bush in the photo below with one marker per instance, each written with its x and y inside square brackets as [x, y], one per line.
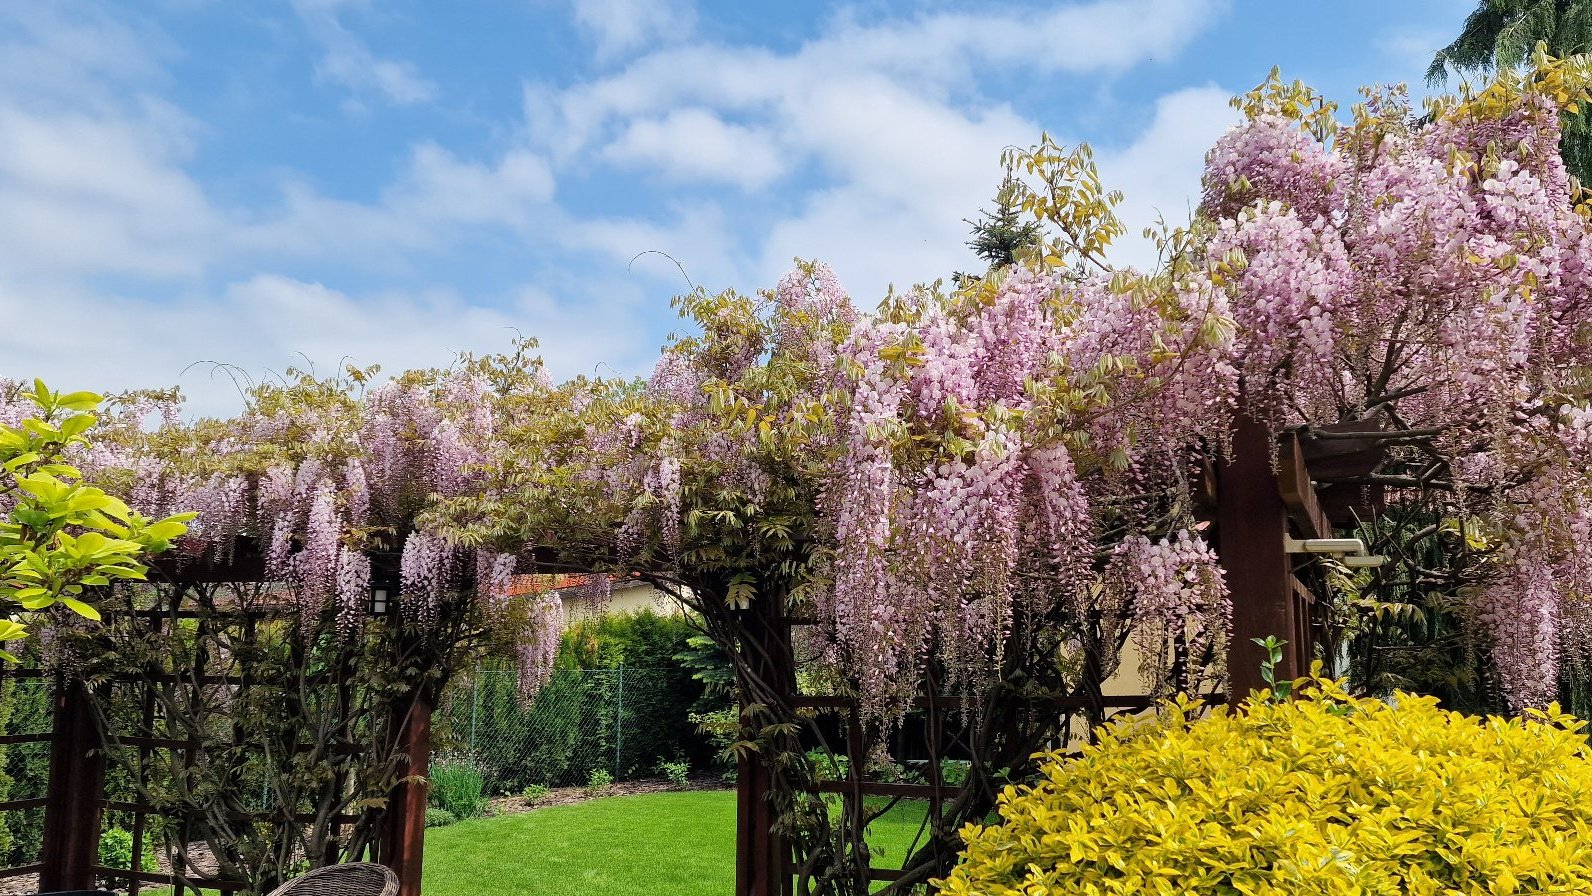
[795, 843]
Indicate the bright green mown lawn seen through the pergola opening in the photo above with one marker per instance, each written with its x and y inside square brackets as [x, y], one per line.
[665, 844]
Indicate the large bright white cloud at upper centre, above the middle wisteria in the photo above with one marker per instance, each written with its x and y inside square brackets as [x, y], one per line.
[886, 115]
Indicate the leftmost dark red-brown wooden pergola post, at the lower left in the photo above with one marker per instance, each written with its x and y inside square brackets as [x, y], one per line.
[77, 779]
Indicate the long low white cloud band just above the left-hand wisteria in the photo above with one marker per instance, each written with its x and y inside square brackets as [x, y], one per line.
[270, 322]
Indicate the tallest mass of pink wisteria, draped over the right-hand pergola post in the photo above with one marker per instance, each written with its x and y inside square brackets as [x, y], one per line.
[1435, 281]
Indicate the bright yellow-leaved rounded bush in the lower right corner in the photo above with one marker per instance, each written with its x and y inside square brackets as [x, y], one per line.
[1322, 797]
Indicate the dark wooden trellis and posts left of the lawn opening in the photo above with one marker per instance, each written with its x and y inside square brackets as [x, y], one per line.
[79, 797]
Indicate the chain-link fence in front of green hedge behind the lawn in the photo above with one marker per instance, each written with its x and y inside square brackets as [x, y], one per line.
[590, 722]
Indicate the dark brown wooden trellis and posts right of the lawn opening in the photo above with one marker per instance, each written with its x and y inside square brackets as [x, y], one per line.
[1271, 489]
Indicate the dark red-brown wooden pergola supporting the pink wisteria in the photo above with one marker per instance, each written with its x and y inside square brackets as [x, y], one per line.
[1273, 489]
